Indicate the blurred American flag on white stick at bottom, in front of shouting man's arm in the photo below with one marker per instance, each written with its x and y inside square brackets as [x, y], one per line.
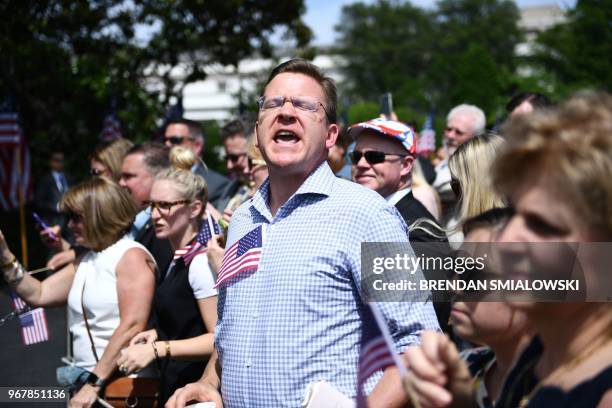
[377, 352]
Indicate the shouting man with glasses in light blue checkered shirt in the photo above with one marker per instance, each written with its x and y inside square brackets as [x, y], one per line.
[297, 319]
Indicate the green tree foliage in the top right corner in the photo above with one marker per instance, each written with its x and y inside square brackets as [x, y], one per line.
[577, 54]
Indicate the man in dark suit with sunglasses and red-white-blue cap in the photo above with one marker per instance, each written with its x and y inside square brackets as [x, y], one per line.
[382, 161]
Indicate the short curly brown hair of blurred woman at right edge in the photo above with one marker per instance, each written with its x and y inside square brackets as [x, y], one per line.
[569, 148]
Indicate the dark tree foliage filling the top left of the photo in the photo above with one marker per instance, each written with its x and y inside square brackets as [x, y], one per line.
[63, 61]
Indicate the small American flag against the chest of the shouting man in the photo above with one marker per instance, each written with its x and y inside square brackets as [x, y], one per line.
[244, 255]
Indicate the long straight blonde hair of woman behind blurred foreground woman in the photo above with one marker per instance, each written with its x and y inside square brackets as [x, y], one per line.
[471, 166]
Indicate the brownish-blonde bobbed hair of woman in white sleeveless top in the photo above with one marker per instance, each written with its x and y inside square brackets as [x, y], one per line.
[107, 210]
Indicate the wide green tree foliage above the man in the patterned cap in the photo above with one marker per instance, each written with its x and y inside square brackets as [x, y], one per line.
[462, 51]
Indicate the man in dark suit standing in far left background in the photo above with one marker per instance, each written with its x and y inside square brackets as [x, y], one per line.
[49, 192]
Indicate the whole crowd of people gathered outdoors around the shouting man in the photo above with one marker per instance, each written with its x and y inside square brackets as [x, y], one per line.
[246, 290]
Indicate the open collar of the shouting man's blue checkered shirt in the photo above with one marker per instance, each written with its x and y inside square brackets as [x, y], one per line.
[319, 182]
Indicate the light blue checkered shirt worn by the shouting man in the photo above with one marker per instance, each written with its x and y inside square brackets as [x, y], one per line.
[298, 318]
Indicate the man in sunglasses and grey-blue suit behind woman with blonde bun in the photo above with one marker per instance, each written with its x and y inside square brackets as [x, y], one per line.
[188, 133]
